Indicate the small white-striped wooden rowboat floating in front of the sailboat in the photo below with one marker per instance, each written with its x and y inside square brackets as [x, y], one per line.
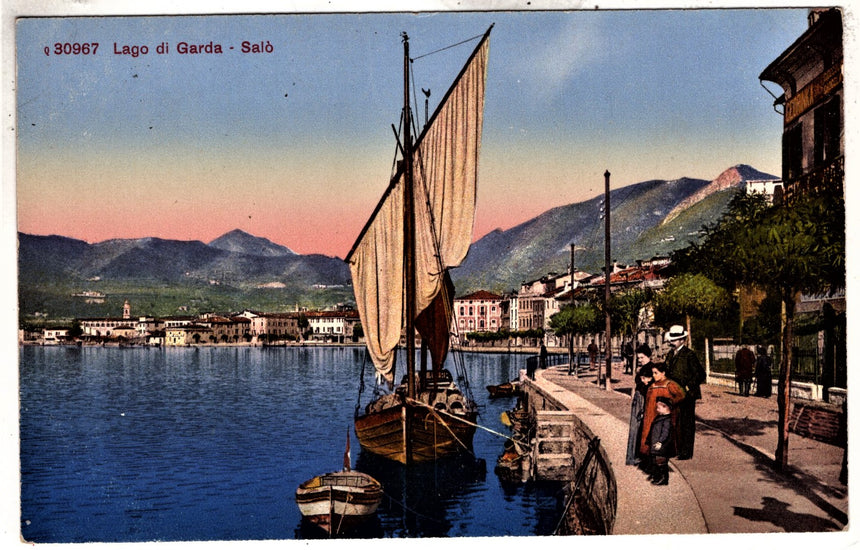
[340, 501]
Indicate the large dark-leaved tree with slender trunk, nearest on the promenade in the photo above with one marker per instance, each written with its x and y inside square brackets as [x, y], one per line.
[785, 250]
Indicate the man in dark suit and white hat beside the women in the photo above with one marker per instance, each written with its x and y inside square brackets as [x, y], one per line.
[685, 369]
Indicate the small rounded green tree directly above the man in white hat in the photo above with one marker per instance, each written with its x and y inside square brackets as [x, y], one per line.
[693, 294]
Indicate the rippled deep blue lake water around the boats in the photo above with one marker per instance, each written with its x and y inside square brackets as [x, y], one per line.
[143, 444]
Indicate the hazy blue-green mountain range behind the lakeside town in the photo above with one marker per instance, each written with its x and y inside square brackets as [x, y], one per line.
[238, 270]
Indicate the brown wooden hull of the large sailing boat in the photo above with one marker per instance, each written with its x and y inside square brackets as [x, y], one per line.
[432, 435]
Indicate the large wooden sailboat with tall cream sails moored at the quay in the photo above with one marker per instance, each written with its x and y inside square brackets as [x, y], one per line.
[399, 264]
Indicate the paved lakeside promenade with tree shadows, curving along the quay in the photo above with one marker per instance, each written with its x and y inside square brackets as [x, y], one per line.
[730, 485]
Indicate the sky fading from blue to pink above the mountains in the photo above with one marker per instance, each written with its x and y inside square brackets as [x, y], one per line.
[295, 145]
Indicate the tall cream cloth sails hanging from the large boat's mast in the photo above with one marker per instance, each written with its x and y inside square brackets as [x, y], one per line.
[445, 169]
